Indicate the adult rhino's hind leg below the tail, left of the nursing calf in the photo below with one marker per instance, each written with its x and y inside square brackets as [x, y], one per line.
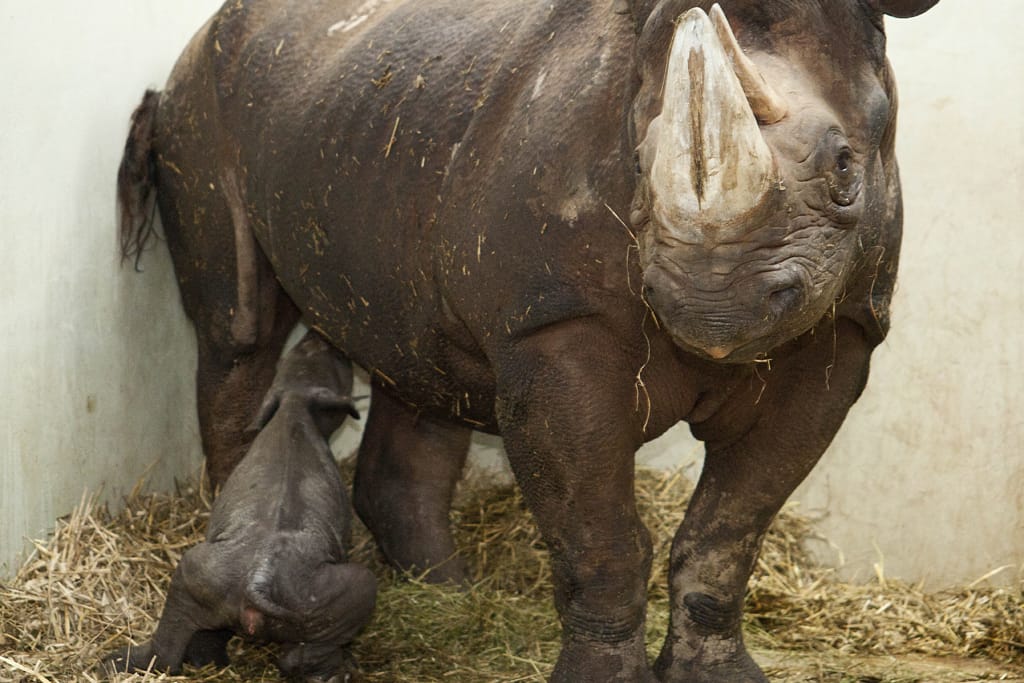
[241, 313]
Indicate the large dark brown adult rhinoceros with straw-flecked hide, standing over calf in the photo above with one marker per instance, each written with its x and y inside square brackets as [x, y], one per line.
[437, 189]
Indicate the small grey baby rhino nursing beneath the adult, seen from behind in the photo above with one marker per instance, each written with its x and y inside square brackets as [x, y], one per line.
[274, 565]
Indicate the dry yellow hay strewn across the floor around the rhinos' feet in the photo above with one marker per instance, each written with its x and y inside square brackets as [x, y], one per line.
[102, 580]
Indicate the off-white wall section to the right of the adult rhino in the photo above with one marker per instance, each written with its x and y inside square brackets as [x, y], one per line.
[928, 474]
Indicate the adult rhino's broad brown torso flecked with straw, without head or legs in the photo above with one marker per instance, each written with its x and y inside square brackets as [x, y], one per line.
[403, 172]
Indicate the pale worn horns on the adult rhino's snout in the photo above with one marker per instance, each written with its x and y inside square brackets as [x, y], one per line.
[709, 164]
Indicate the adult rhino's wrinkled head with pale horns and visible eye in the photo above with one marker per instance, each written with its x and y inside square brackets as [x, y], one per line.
[765, 164]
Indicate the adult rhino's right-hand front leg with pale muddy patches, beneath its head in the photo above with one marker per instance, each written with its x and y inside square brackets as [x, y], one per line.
[744, 485]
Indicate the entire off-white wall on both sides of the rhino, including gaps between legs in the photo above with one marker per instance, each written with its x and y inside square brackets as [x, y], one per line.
[927, 474]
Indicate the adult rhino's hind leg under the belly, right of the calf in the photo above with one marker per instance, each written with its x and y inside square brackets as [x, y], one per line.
[405, 479]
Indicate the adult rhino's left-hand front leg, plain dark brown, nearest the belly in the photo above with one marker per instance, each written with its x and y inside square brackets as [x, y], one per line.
[568, 414]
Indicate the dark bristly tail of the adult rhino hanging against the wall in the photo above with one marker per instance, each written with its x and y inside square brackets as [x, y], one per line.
[138, 182]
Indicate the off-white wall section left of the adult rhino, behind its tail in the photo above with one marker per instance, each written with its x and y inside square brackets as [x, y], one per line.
[97, 364]
